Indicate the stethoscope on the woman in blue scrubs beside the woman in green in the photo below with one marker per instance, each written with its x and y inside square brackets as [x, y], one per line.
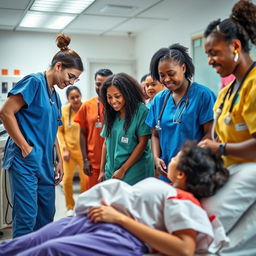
[183, 103]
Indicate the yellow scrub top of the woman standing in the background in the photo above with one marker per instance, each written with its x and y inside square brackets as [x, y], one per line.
[69, 132]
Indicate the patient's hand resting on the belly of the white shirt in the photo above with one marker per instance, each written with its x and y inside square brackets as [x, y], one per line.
[105, 213]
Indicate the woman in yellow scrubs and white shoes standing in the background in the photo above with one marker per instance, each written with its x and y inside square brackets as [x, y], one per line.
[68, 135]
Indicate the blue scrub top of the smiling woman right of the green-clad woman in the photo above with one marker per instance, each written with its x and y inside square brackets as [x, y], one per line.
[198, 111]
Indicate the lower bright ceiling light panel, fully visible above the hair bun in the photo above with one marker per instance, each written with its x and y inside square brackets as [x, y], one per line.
[46, 20]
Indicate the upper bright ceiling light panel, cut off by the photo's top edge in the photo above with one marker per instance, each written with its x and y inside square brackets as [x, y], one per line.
[63, 6]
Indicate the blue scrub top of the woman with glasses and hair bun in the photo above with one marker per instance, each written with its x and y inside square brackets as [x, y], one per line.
[38, 121]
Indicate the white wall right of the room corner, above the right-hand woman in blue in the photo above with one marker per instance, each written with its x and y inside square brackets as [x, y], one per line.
[187, 18]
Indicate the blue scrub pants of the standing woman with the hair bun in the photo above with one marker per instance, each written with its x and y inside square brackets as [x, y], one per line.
[33, 198]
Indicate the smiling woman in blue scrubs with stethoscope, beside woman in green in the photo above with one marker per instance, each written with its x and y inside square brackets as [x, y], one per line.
[183, 111]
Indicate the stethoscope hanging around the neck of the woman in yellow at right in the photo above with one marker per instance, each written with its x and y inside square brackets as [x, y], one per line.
[227, 119]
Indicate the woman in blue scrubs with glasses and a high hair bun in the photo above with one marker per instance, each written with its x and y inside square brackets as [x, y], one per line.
[31, 116]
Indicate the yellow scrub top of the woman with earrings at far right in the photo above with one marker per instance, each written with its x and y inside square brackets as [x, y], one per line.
[243, 116]
